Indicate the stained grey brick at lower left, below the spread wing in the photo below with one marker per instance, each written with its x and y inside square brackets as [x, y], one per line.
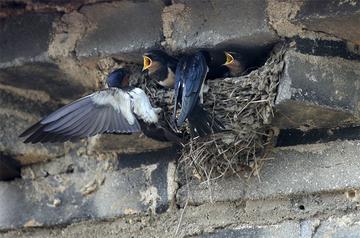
[96, 193]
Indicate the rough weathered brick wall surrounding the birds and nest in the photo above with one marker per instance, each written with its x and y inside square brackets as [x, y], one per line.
[52, 52]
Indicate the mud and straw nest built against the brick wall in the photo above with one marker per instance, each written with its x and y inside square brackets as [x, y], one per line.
[244, 105]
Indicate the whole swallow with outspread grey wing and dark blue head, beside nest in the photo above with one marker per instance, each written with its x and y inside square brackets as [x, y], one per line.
[118, 109]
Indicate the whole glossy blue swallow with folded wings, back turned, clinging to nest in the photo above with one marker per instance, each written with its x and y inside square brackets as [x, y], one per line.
[190, 74]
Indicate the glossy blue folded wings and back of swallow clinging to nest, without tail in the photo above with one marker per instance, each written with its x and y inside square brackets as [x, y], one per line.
[190, 75]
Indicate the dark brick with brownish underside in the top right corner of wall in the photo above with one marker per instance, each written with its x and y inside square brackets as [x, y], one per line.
[335, 17]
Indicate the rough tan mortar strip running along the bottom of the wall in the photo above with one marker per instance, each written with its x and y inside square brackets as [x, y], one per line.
[252, 216]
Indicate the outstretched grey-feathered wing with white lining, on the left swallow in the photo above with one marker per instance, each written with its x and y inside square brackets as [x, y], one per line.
[107, 111]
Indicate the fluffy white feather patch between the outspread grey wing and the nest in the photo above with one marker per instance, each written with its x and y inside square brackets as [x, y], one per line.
[142, 107]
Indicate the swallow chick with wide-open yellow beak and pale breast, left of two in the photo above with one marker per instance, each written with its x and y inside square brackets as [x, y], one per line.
[160, 67]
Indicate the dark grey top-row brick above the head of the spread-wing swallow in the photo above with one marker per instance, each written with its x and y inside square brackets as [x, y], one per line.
[120, 28]
